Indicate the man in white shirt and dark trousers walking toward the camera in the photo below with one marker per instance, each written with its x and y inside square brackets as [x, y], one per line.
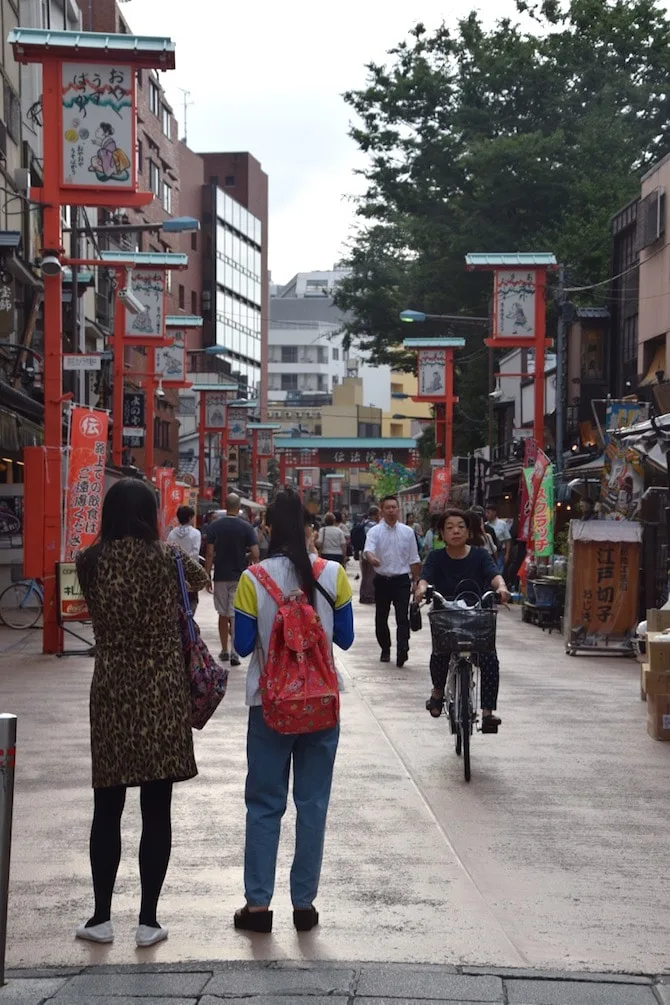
[391, 548]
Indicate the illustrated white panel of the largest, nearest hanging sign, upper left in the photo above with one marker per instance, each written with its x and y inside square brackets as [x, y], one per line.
[99, 125]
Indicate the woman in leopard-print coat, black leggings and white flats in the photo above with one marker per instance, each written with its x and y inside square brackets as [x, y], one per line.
[140, 702]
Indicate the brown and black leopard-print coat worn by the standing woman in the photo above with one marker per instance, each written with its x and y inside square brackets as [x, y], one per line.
[140, 704]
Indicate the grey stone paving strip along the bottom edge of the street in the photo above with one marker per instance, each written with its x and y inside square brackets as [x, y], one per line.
[326, 984]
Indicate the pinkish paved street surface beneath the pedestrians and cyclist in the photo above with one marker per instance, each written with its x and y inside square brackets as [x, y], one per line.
[555, 857]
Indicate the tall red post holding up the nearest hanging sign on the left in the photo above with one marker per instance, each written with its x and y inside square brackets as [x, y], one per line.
[53, 636]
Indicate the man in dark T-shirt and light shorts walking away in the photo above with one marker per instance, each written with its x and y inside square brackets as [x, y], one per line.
[232, 541]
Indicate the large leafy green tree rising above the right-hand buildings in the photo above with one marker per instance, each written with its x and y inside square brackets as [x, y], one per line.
[500, 140]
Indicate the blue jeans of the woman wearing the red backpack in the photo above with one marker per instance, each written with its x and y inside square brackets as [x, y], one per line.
[270, 756]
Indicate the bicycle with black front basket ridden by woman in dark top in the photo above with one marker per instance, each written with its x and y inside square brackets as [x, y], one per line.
[465, 633]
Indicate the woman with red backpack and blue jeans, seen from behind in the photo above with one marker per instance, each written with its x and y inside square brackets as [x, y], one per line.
[290, 611]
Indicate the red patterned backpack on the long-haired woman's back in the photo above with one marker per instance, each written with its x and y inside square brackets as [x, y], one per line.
[299, 684]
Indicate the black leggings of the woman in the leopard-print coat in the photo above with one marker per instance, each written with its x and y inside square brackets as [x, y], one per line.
[155, 847]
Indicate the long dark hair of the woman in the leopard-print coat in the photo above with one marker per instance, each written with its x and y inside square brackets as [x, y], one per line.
[130, 510]
